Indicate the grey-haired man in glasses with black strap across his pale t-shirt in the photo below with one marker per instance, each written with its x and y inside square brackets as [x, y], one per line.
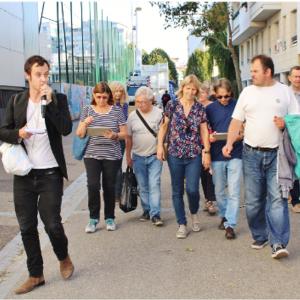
[141, 147]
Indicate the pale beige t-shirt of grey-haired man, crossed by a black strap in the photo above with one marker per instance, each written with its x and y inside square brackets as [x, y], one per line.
[143, 141]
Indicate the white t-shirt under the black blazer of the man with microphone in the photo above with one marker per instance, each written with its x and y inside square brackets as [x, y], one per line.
[38, 145]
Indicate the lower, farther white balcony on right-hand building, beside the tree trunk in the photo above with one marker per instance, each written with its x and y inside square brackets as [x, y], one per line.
[243, 27]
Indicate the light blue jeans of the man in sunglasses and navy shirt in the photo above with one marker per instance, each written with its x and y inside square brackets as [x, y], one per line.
[228, 173]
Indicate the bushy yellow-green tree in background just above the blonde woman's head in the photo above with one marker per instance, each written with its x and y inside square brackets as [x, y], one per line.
[200, 64]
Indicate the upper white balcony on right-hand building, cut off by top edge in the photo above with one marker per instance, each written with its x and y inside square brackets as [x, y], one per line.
[262, 11]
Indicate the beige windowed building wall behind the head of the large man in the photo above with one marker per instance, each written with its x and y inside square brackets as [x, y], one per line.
[275, 40]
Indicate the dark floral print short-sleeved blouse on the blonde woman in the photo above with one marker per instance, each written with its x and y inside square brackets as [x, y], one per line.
[184, 140]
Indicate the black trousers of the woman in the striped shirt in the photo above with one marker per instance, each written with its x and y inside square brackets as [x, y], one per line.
[108, 168]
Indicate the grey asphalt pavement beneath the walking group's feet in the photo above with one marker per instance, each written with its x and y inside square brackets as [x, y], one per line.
[142, 261]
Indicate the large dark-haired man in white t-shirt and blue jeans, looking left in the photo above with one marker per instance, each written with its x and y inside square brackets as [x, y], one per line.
[262, 107]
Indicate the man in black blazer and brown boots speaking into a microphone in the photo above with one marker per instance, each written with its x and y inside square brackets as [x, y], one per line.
[37, 118]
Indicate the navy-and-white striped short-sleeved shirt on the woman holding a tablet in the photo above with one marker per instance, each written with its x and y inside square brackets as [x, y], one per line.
[100, 147]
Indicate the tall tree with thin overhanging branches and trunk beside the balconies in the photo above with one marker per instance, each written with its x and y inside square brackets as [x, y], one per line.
[211, 21]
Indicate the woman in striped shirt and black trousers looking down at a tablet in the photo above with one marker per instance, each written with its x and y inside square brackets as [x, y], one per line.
[103, 153]
